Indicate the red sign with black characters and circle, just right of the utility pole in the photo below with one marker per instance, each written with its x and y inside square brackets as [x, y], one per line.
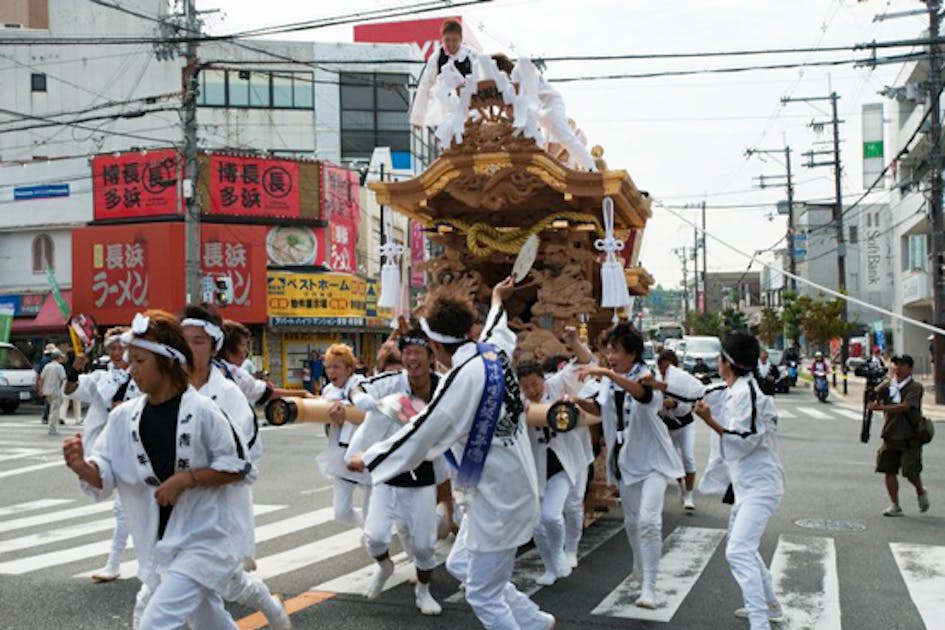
[249, 186]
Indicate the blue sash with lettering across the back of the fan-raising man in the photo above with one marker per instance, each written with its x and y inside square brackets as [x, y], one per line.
[484, 422]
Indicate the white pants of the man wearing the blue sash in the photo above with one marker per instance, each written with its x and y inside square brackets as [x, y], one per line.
[489, 591]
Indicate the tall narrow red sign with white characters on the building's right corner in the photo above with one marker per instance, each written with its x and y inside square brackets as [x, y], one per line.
[341, 209]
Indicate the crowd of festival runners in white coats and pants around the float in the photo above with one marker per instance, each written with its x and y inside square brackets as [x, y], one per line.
[172, 426]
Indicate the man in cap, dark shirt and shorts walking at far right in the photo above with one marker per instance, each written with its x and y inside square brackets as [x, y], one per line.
[900, 399]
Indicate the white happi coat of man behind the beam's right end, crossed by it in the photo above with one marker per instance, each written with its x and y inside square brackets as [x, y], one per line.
[572, 448]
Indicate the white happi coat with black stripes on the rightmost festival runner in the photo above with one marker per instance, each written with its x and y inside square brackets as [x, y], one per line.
[749, 445]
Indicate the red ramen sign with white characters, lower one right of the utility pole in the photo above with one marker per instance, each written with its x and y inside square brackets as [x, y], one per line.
[237, 251]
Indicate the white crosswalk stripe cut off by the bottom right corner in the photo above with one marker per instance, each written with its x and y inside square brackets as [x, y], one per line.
[922, 567]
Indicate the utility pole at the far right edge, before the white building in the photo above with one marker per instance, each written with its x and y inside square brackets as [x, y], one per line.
[935, 180]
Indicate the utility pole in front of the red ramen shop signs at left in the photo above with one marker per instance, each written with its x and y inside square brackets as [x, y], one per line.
[191, 82]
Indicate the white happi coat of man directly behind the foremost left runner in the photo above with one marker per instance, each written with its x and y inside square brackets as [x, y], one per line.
[234, 405]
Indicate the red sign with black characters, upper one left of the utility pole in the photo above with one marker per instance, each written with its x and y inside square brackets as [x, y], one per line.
[134, 185]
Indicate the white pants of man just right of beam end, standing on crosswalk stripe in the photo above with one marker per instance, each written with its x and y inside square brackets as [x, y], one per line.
[643, 519]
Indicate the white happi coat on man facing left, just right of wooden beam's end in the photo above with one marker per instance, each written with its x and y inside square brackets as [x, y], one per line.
[647, 446]
